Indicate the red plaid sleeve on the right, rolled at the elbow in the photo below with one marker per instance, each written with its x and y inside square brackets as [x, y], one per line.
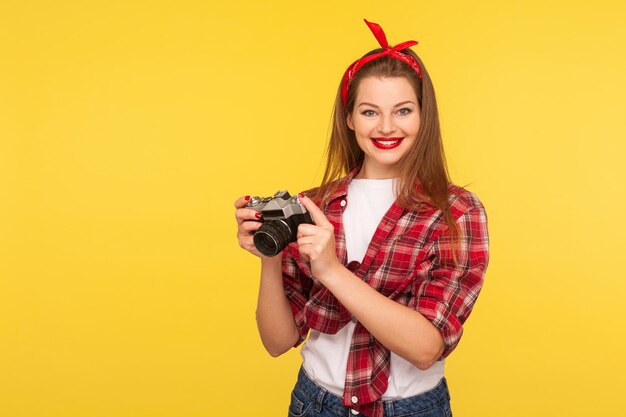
[447, 288]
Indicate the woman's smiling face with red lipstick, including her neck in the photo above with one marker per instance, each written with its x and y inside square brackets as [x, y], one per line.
[385, 120]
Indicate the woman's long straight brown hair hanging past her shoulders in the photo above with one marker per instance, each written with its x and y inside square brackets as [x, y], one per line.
[424, 163]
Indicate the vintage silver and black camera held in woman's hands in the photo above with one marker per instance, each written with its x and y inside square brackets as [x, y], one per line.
[282, 214]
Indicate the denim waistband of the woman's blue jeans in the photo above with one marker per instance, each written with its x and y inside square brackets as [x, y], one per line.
[330, 401]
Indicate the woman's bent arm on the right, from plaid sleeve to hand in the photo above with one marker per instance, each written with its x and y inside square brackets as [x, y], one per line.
[421, 333]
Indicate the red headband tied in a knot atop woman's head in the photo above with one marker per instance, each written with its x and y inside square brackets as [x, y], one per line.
[392, 52]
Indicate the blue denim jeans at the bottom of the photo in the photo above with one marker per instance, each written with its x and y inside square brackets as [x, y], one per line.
[310, 400]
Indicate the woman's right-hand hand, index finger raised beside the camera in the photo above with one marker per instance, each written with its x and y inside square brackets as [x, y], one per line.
[317, 242]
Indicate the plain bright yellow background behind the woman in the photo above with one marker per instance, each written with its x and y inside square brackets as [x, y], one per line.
[128, 128]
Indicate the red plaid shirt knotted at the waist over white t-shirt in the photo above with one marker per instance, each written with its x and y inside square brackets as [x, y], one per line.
[409, 260]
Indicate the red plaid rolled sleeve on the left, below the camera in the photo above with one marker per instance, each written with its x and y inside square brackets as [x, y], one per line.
[297, 289]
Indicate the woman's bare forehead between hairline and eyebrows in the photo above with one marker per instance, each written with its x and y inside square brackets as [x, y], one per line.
[385, 91]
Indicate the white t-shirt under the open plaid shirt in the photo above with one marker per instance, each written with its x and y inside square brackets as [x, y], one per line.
[325, 356]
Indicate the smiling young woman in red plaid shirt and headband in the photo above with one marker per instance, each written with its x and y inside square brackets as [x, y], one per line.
[384, 280]
